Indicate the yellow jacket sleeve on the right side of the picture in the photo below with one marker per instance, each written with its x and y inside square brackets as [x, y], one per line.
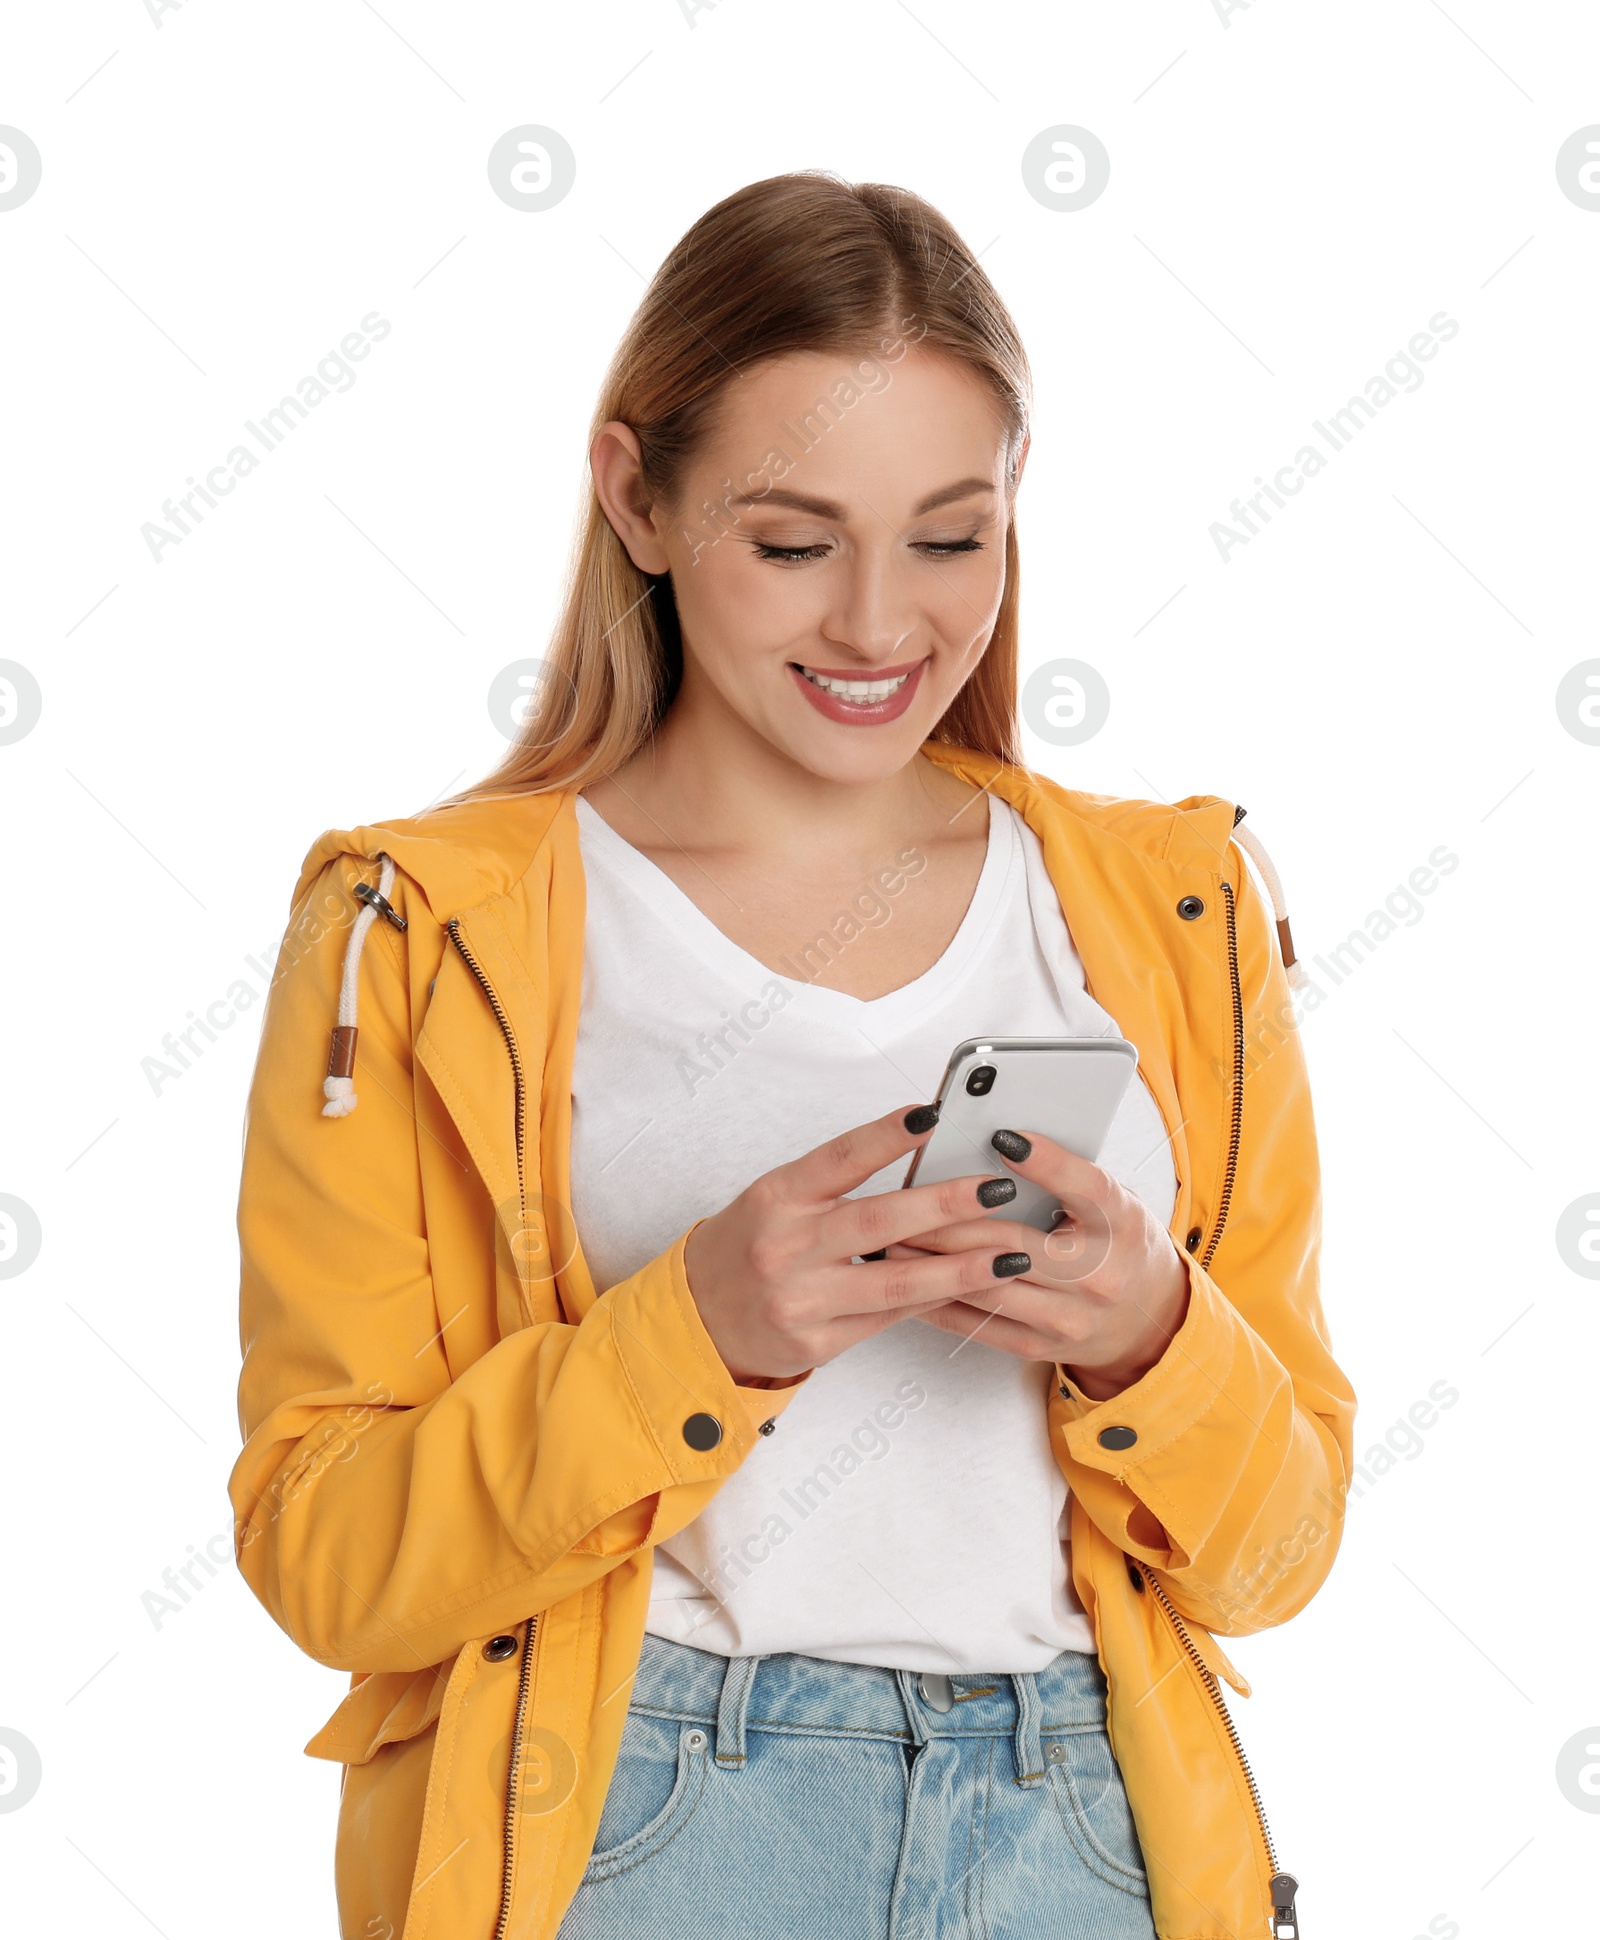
[1234, 1483]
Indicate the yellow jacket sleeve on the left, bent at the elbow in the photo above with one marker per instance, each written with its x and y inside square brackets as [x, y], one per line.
[385, 1512]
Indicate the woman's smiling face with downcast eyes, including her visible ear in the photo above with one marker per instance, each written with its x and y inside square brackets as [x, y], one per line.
[837, 554]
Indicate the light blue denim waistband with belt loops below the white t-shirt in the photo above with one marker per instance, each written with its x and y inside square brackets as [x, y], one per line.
[817, 1697]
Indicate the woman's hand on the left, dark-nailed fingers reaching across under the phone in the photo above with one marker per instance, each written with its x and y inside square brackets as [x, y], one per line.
[777, 1274]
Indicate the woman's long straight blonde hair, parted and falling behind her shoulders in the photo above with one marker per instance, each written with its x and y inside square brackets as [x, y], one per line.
[798, 263]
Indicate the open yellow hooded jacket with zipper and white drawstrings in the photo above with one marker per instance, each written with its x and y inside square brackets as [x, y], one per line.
[461, 1458]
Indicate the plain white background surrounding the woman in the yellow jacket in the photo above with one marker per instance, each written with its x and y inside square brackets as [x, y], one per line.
[1295, 193]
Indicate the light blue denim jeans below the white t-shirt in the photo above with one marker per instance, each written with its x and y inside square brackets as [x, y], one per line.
[798, 1799]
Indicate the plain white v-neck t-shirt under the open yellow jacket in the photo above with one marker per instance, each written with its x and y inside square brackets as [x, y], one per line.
[909, 1508]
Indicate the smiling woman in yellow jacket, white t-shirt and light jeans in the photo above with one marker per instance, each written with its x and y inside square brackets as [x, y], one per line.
[722, 1539]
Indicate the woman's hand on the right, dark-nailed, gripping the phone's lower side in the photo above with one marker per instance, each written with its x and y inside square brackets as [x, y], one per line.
[1106, 1291]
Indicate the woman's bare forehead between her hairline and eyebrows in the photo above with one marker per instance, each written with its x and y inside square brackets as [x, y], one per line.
[850, 416]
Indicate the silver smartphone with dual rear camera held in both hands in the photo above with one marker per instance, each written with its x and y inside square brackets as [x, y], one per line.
[1068, 1089]
